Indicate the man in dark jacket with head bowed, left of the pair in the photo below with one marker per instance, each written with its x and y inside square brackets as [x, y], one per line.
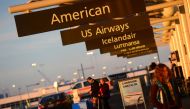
[94, 91]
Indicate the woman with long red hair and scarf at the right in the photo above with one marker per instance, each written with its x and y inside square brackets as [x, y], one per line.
[164, 94]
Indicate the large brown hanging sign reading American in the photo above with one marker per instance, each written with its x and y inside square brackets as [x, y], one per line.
[80, 13]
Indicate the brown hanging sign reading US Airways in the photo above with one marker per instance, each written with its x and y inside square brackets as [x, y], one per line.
[104, 29]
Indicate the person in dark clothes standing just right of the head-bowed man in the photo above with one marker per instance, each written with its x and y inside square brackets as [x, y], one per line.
[104, 94]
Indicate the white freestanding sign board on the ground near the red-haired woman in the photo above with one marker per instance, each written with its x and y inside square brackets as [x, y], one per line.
[131, 92]
